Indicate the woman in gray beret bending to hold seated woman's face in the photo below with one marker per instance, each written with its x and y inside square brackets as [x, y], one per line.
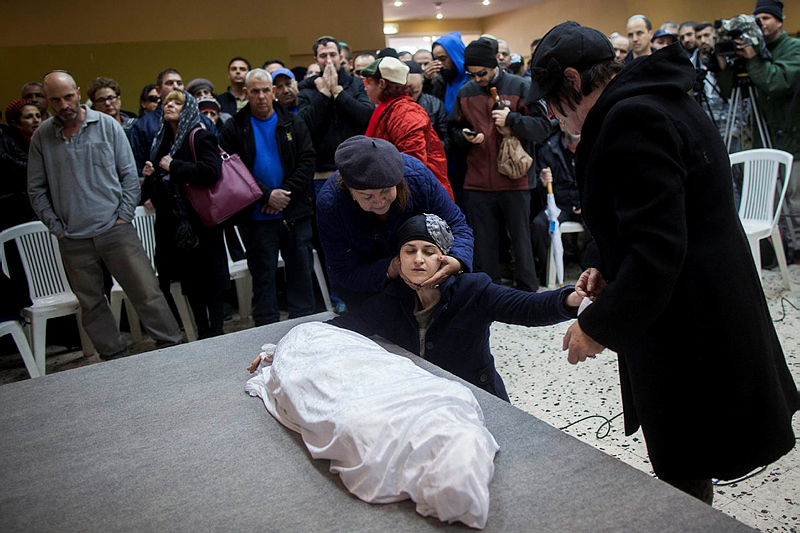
[360, 208]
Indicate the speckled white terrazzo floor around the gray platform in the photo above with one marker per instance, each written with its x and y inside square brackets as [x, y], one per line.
[540, 381]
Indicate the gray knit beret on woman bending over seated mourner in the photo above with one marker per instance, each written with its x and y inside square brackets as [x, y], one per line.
[367, 163]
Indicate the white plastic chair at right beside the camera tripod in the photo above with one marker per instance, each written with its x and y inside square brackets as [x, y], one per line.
[758, 210]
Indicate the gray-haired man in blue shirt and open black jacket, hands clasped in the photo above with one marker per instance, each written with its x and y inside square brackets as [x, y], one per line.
[276, 147]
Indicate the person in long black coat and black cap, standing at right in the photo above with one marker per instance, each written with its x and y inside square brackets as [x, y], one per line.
[676, 291]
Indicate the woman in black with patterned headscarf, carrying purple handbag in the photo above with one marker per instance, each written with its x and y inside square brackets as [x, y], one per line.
[187, 250]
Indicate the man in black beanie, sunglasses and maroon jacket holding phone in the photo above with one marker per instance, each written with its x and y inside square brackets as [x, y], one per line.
[496, 202]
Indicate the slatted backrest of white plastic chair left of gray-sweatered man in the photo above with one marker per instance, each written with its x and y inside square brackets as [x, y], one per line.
[41, 259]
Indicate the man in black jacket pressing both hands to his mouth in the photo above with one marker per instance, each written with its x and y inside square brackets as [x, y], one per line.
[333, 105]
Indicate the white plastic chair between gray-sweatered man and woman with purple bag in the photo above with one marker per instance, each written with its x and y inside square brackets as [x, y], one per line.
[144, 220]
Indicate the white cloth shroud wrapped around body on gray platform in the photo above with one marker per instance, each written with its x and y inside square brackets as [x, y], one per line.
[390, 429]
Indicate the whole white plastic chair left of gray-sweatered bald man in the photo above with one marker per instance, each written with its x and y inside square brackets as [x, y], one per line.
[48, 285]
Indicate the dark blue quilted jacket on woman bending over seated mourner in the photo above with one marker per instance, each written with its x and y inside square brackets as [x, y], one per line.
[358, 248]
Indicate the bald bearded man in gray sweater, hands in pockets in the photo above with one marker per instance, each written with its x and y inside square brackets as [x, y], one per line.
[83, 185]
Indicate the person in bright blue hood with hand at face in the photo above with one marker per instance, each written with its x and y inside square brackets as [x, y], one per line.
[445, 75]
